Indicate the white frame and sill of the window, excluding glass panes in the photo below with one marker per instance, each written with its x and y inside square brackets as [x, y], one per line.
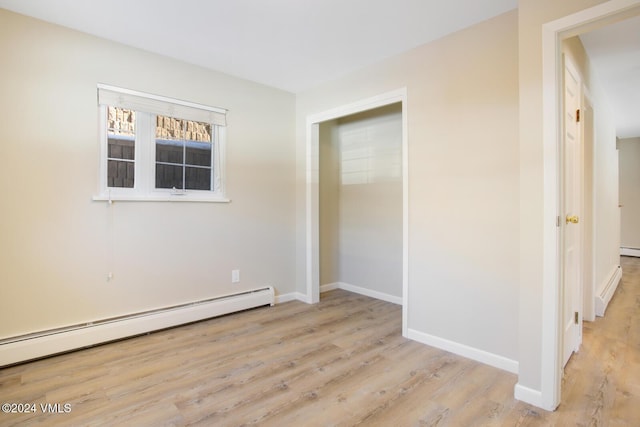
[145, 145]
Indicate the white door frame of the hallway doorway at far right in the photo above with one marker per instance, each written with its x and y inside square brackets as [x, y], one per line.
[553, 33]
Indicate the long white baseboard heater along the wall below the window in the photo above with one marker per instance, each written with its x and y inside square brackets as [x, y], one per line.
[45, 343]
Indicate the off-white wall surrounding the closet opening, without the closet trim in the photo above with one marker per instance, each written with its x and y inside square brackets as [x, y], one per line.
[462, 114]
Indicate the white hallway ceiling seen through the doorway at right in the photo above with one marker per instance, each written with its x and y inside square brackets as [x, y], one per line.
[614, 52]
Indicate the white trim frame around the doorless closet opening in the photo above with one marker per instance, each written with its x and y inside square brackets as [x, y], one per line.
[312, 251]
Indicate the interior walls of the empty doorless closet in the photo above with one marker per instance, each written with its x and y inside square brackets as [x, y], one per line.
[361, 200]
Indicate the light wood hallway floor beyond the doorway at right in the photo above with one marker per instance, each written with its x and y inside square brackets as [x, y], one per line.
[601, 385]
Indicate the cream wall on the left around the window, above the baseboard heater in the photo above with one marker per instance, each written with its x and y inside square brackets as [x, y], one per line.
[57, 245]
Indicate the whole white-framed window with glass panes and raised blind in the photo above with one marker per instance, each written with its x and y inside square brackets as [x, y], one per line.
[156, 148]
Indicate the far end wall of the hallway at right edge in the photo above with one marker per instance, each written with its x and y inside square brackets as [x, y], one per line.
[630, 192]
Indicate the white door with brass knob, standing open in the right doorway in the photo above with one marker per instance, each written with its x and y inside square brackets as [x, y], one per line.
[572, 207]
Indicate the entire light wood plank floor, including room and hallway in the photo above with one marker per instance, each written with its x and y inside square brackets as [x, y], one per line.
[341, 362]
